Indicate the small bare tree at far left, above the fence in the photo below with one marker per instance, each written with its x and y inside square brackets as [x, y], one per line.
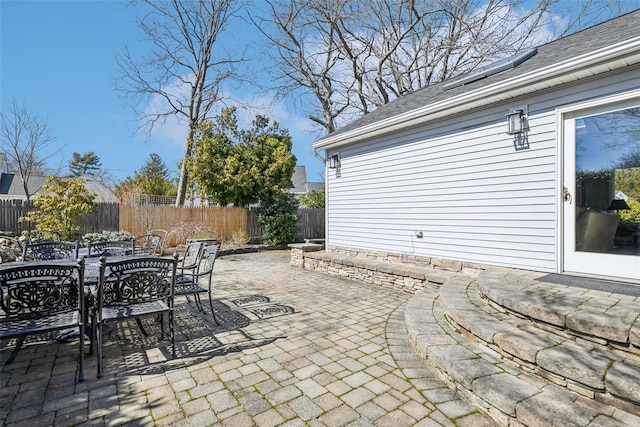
[27, 143]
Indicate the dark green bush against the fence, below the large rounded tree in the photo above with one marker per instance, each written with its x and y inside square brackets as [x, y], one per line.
[278, 217]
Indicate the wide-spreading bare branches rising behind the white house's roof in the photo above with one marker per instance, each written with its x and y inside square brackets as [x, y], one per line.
[355, 56]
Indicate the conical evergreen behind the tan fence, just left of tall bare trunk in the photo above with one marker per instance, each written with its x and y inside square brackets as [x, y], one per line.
[153, 178]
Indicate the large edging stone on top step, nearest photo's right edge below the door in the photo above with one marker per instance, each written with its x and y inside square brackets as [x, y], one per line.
[614, 325]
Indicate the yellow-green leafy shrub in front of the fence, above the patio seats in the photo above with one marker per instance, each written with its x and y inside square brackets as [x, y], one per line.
[57, 209]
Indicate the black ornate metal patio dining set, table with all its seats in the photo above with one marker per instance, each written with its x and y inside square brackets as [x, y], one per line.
[59, 286]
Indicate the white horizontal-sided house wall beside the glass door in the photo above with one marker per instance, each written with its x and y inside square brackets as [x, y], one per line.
[474, 195]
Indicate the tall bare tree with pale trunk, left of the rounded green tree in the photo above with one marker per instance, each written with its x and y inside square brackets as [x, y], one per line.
[182, 74]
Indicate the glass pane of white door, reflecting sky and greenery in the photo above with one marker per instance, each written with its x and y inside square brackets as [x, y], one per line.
[608, 183]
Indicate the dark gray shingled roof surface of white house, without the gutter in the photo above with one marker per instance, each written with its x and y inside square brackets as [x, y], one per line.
[583, 42]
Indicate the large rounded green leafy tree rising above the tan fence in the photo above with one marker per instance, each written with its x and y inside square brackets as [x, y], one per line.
[232, 165]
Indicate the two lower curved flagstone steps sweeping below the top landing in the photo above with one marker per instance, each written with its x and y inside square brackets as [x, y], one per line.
[516, 371]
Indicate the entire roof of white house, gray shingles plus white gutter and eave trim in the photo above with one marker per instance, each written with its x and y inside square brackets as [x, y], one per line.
[602, 48]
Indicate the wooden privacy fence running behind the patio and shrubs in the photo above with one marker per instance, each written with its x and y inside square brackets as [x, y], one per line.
[221, 222]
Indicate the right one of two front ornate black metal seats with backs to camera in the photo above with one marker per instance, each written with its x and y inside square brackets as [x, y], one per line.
[134, 287]
